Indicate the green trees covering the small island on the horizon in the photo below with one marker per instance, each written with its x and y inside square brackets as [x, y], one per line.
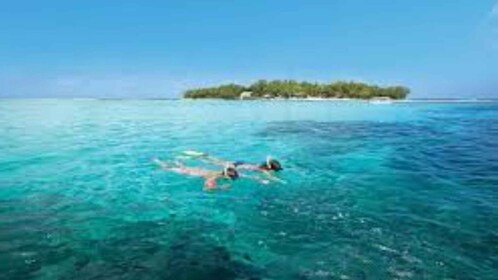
[293, 89]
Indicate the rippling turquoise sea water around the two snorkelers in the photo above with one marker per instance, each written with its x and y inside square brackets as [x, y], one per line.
[400, 191]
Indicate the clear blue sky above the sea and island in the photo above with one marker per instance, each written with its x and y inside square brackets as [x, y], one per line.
[158, 49]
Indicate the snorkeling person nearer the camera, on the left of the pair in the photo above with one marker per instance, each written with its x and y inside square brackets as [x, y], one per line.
[210, 177]
